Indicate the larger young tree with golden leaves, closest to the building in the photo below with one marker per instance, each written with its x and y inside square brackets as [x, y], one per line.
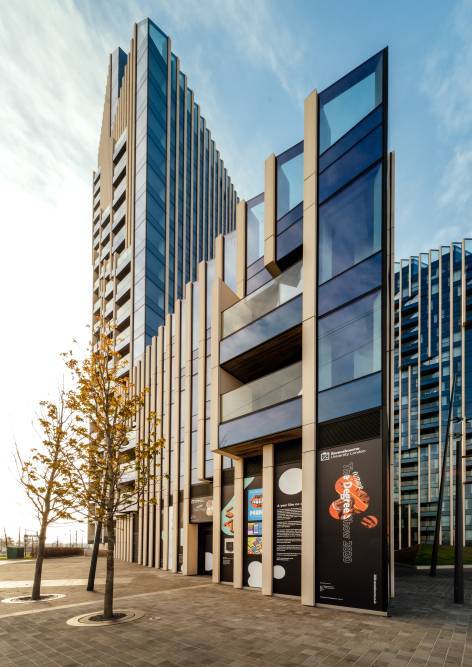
[106, 406]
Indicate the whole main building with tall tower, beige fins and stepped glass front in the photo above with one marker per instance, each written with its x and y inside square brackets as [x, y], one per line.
[262, 330]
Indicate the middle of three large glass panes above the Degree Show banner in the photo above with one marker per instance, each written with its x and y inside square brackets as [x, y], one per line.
[350, 225]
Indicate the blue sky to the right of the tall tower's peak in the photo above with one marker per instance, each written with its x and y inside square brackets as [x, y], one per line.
[252, 63]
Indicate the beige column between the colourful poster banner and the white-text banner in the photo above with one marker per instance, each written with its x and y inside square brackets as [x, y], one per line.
[268, 519]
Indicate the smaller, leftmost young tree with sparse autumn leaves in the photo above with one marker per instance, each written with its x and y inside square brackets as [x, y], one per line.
[46, 474]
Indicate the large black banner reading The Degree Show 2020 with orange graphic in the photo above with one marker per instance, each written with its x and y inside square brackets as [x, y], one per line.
[349, 526]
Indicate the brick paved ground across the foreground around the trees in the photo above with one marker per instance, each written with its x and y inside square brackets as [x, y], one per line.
[189, 621]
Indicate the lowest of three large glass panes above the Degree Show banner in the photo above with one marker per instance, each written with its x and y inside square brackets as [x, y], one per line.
[349, 342]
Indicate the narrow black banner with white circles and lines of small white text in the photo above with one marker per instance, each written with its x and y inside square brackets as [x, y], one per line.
[288, 528]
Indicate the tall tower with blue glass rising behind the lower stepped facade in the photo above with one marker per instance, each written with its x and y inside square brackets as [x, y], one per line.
[161, 192]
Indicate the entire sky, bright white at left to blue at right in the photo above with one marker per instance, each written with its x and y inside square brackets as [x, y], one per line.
[251, 63]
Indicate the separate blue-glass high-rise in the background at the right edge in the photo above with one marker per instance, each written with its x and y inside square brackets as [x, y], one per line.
[433, 345]
